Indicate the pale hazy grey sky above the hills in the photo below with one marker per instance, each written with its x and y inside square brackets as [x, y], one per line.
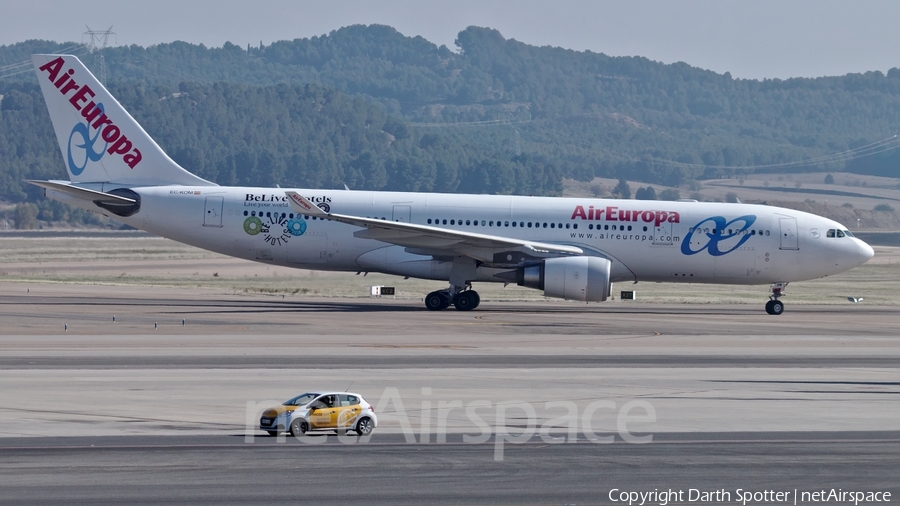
[750, 39]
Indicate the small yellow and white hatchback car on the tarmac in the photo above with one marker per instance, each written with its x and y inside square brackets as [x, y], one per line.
[320, 411]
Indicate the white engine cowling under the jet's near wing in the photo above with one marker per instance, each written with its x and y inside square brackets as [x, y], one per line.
[573, 278]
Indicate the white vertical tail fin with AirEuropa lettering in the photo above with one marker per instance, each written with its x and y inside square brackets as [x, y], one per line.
[100, 141]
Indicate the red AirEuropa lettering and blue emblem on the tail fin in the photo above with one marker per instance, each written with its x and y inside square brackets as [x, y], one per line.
[114, 141]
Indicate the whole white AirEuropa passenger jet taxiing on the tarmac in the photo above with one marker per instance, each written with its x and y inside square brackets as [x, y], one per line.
[571, 248]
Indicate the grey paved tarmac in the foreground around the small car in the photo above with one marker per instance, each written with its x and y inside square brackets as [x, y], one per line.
[115, 394]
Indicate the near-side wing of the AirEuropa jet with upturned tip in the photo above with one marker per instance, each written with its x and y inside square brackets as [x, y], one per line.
[424, 239]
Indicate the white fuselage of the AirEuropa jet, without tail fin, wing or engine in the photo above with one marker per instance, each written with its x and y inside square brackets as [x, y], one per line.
[664, 241]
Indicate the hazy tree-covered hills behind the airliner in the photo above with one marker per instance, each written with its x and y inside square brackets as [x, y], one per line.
[372, 108]
